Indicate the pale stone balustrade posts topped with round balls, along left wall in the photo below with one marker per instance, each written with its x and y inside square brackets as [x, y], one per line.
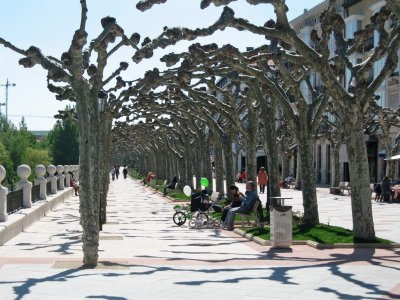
[64, 174]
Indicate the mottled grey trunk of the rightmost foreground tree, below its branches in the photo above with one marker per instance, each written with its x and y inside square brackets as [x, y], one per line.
[363, 223]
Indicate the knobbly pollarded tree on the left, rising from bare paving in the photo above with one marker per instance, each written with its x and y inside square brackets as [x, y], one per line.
[81, 75]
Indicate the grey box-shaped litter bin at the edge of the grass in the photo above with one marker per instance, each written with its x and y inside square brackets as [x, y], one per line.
[281, 226]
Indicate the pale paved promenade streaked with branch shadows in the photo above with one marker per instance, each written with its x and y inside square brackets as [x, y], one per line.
[145, 256]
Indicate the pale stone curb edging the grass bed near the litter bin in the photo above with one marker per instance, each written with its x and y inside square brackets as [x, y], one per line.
[318, 246]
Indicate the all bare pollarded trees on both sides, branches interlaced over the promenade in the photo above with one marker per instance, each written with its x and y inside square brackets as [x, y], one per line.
[198, 120]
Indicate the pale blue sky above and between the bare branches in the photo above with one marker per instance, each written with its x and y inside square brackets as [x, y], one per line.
[50, 24]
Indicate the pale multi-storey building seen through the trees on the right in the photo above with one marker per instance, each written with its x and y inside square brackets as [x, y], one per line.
[356, 15]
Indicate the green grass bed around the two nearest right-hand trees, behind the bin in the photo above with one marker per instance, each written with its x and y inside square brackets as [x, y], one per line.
[323, 234]
